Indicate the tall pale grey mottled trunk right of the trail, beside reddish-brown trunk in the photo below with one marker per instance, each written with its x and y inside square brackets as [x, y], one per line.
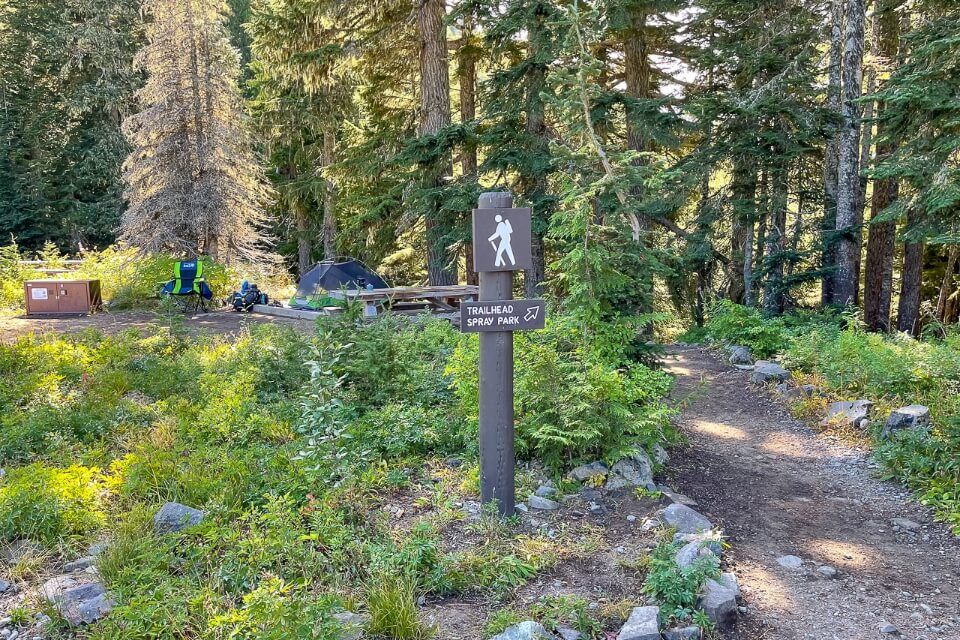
[848, 179]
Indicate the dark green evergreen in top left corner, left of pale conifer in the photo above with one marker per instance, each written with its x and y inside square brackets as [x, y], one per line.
[67, 82]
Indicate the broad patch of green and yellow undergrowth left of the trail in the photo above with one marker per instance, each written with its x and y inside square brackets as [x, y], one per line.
[292, 445]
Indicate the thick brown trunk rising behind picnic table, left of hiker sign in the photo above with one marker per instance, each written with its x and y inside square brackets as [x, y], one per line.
[434, 117]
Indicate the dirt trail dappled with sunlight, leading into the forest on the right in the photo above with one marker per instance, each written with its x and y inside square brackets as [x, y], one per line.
[778, 488]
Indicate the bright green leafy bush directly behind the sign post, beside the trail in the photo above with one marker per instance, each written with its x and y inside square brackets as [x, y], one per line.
[574, 401]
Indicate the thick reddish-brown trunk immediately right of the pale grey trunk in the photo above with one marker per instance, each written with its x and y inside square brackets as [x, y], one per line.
[878, 283]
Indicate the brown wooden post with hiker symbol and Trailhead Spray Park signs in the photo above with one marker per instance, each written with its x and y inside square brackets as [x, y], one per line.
[501, 245]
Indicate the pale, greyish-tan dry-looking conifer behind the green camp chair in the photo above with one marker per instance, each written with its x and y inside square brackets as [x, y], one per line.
[193, 184]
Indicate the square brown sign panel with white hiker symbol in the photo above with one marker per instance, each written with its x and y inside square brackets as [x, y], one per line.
[501, 240]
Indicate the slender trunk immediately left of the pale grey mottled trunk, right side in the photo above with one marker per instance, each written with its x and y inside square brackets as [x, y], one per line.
[831, 160]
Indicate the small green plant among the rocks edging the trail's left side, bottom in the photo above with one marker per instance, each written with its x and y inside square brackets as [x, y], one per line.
[677, 588]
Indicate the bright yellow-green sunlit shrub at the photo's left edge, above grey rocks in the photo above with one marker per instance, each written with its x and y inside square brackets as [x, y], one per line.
[50, 505]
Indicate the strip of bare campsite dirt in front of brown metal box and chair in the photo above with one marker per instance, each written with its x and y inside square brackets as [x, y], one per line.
[214, 322]
